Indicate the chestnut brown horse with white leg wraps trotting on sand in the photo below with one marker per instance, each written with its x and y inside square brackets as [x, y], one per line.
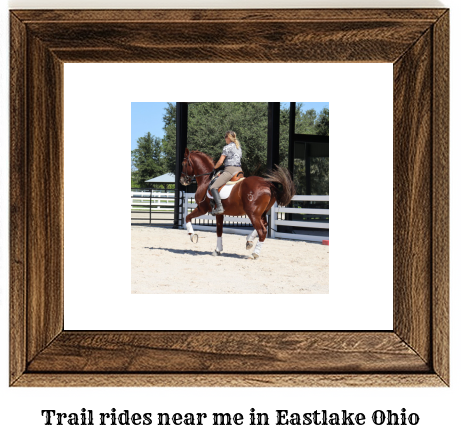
[253, 196]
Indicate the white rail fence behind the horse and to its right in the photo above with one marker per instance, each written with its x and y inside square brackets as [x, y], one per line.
[189, 203]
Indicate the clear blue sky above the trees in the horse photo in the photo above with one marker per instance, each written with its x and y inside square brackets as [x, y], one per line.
[148, 117]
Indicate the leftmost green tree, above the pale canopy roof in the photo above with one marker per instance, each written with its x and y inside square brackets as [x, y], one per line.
[147, 161]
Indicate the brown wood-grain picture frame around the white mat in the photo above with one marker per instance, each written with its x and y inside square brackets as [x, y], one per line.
[414, 353]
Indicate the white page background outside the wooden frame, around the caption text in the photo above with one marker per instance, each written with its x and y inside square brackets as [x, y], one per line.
[437, 408]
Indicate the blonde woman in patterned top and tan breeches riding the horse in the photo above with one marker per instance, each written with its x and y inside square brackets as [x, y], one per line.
[231, 156]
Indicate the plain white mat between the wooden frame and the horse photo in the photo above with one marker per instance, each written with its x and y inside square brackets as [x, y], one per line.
[97, 129]
